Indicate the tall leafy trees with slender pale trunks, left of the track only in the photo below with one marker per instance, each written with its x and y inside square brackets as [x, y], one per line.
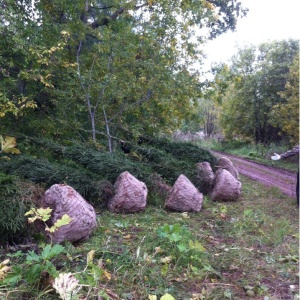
[123, 63]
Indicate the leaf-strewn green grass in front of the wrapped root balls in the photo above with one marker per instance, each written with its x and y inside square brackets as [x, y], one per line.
[246, 249]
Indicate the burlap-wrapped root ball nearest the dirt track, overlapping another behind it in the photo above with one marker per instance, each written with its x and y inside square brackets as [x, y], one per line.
[226, 187]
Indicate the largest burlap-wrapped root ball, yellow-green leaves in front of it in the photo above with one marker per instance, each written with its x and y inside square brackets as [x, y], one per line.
[63, 199]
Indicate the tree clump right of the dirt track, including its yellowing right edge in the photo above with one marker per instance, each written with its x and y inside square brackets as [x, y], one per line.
[258, 93]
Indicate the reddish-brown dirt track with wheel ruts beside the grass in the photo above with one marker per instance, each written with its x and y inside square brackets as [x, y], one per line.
[269, 176]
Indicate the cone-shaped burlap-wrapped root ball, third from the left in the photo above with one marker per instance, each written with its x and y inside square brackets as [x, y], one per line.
[184, 196]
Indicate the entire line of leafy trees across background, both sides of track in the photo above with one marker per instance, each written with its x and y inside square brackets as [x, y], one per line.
[96, 69]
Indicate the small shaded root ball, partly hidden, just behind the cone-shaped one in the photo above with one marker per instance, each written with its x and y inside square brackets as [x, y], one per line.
[205, 177]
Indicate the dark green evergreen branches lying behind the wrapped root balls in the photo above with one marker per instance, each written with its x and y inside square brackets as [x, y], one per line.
[92, 173]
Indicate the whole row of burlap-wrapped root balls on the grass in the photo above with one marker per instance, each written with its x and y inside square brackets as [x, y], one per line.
[131, 197]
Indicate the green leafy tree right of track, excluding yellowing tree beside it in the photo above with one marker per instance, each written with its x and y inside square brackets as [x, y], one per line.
[259, 76]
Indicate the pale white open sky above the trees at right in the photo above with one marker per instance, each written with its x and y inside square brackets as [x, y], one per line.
[267, 20]
